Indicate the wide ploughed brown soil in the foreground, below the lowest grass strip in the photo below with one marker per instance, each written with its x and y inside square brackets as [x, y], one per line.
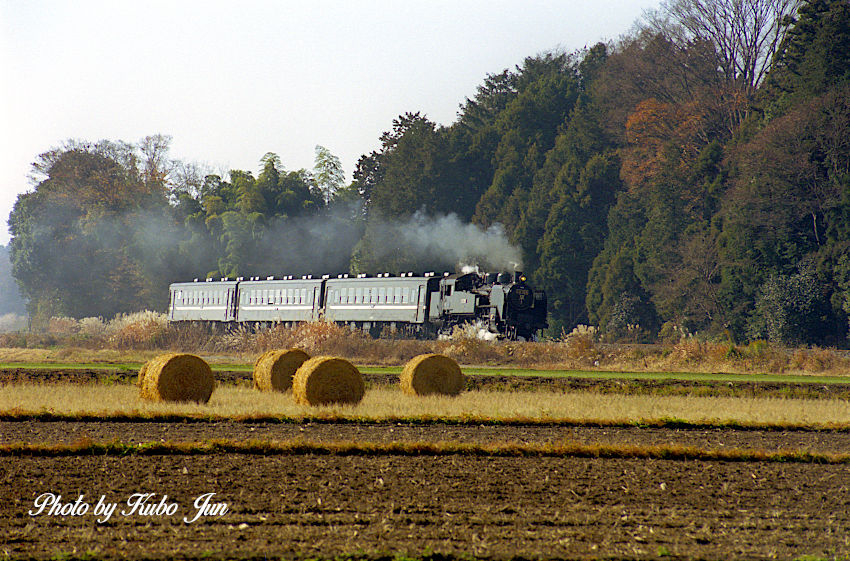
[457, 506]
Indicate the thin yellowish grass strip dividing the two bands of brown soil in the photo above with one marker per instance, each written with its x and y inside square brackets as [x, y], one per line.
[496, 450]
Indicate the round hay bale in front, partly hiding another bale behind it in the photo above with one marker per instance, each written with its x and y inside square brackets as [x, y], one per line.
[325, 380]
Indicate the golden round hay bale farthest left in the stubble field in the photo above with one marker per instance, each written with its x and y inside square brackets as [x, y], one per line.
[177, 377]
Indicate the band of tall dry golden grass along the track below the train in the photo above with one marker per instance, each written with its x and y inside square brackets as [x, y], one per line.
[581, 349]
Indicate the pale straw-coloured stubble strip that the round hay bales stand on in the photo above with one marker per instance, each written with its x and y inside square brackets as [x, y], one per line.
[391, 403]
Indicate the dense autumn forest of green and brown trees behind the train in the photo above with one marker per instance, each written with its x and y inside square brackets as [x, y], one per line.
[691, 177]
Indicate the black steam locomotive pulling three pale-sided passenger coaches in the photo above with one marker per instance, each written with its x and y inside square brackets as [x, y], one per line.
[502, 304]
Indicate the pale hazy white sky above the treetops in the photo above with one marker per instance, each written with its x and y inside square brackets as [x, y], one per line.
[230, 81]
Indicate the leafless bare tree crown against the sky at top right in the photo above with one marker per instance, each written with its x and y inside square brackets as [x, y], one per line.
[745, 33]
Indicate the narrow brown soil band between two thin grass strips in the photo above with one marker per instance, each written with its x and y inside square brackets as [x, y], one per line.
[125, 431]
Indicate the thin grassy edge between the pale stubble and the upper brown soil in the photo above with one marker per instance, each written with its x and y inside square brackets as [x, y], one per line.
[467, 421]
